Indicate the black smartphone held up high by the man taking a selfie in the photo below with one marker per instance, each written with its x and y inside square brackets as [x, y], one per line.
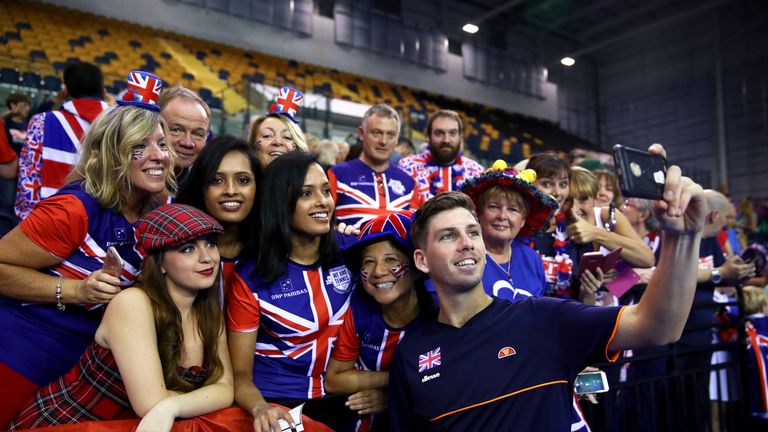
[641, 175]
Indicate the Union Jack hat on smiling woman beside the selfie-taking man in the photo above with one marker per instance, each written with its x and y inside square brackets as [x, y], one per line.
[395, 226]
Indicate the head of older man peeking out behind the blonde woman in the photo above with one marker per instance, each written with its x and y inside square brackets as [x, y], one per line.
[188, 118]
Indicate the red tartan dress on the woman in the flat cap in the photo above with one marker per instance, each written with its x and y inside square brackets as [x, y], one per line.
[92, 390]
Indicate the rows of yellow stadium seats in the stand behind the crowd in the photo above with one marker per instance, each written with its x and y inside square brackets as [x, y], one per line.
[37, 40]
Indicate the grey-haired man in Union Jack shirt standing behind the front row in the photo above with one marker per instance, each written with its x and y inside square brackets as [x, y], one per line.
[369, 186]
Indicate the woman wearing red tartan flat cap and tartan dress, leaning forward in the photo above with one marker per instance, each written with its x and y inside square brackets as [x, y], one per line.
[172, 360]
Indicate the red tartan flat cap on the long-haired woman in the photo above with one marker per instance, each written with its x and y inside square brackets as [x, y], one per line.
[174, 224]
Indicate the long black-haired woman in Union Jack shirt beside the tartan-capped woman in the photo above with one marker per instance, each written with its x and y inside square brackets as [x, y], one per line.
[287, 305]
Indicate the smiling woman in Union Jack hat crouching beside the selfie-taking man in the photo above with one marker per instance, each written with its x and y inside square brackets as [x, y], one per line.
[392, 302]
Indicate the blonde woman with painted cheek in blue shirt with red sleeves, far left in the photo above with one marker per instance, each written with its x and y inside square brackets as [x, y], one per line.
[53, 288]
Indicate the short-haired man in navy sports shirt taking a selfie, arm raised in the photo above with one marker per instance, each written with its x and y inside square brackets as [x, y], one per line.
[488, 364]
